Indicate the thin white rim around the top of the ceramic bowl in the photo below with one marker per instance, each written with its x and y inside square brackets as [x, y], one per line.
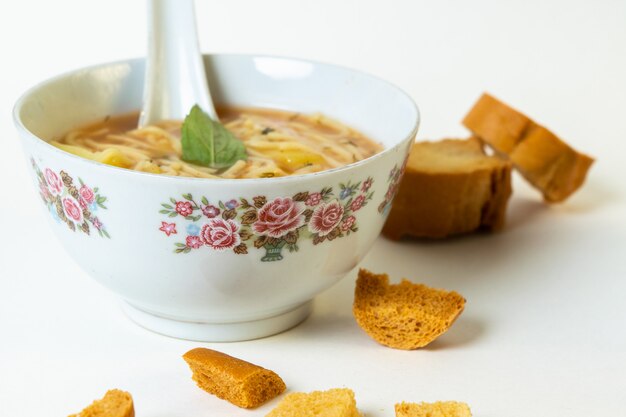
[17, 121]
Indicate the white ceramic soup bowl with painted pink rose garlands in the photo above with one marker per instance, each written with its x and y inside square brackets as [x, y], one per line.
[218, 260]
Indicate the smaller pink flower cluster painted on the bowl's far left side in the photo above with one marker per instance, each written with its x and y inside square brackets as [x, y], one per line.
[71, 203]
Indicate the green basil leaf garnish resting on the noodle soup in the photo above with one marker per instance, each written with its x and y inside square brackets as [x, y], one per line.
[208, 143]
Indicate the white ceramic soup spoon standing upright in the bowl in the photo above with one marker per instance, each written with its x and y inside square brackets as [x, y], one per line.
[175, 78]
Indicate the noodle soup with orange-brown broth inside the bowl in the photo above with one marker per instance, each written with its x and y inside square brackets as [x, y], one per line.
[277, 143]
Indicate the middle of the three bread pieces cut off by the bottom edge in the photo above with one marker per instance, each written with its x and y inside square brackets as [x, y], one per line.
[336, 402]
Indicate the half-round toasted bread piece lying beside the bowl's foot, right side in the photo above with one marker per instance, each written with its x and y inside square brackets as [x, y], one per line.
[406, 315]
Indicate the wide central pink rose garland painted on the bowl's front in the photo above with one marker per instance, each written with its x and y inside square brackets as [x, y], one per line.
[275, 225]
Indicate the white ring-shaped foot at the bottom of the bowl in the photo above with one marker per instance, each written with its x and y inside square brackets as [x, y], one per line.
[219, 332]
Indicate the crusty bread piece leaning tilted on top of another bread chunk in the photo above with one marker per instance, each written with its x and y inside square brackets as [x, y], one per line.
[547, 162]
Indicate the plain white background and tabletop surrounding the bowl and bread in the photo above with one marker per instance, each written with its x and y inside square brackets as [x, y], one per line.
[544, 331]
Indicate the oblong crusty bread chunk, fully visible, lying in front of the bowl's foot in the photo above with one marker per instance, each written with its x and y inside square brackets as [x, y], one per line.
[243, 384]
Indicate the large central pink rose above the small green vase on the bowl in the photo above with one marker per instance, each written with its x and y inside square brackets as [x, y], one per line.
[278, 217]
